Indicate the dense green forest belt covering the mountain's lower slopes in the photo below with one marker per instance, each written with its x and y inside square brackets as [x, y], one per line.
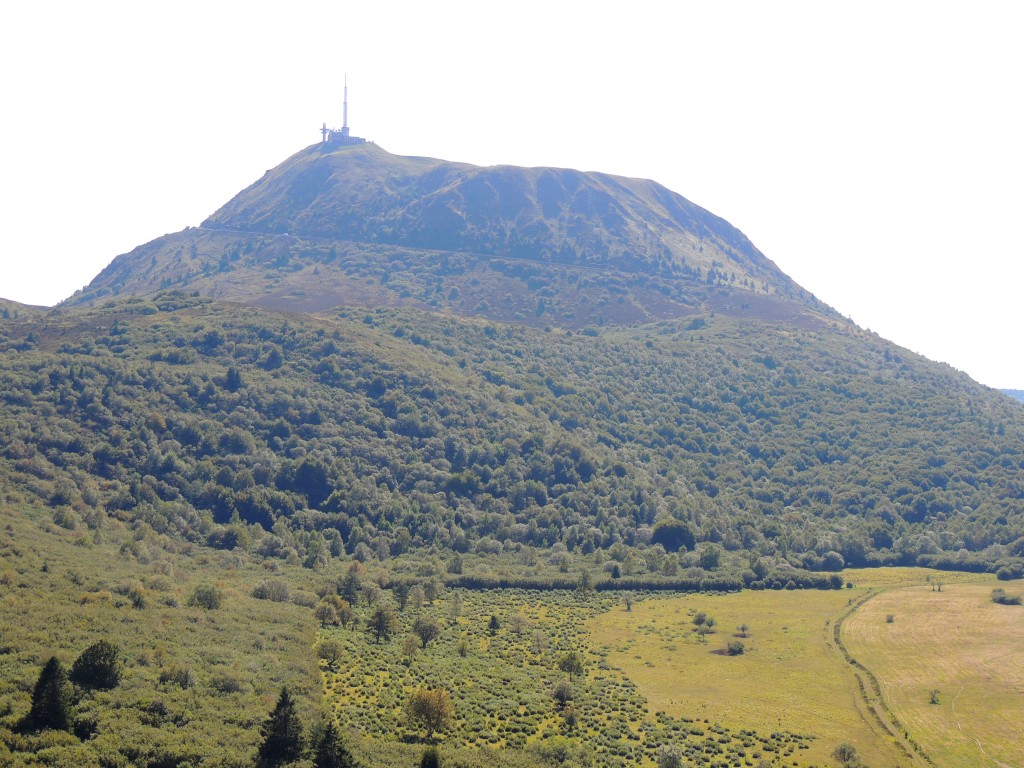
[392, 433]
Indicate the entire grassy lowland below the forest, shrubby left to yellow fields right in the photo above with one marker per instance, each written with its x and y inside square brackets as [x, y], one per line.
[655, 673]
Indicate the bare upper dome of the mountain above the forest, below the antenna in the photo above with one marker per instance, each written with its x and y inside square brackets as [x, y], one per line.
[358, 227]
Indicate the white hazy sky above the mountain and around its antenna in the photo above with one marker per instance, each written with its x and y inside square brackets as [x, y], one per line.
[873, 150]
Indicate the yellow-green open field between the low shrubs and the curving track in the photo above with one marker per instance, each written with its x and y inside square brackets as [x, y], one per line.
[790, 678]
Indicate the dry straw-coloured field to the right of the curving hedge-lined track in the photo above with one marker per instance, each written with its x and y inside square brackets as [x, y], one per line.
[957, 643]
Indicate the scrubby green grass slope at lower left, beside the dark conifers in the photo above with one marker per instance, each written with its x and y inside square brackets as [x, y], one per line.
[63, 590]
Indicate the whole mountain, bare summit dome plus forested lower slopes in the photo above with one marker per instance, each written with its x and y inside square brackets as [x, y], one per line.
[534, 356]
